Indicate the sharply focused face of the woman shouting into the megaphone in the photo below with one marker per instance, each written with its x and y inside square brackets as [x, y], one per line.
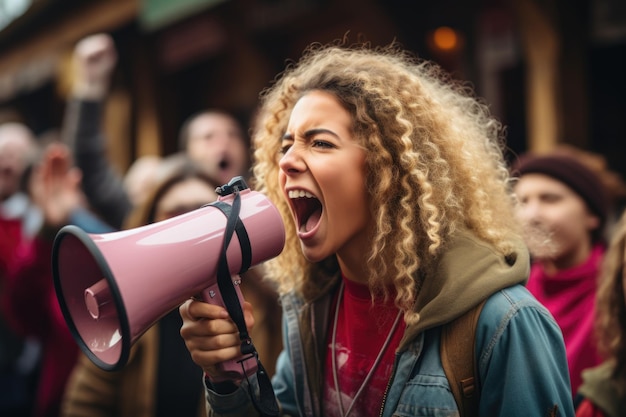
[322, 175]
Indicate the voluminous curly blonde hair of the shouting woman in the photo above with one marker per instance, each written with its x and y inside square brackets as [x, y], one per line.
[434, 160]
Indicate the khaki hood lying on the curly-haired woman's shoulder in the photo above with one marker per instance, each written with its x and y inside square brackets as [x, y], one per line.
[469, 271]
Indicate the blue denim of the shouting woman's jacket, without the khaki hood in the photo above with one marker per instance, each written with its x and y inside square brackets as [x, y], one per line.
[520, 357]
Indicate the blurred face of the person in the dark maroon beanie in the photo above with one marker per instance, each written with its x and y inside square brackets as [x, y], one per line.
[557, 223]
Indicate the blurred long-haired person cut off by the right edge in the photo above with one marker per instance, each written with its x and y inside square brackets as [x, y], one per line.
[603, 391]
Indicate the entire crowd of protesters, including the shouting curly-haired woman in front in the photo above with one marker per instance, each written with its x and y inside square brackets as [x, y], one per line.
[402, 214]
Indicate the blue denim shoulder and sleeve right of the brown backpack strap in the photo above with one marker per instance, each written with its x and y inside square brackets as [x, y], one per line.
[518, 340]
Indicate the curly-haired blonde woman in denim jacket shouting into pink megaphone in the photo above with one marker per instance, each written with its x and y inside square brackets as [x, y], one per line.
[395, 194]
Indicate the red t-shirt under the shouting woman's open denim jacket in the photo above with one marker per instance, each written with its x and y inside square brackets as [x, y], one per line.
[361, 331]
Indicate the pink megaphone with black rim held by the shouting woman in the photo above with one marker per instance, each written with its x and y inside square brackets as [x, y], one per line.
[112, 287]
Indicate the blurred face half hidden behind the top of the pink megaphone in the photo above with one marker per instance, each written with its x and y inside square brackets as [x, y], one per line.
[184, 197]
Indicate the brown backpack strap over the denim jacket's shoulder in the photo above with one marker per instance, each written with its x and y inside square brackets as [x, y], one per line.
[458, 357]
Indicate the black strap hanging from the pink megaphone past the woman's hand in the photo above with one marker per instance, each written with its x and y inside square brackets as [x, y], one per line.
[266, 404]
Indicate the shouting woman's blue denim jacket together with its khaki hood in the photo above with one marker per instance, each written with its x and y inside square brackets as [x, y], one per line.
[520, 351]
